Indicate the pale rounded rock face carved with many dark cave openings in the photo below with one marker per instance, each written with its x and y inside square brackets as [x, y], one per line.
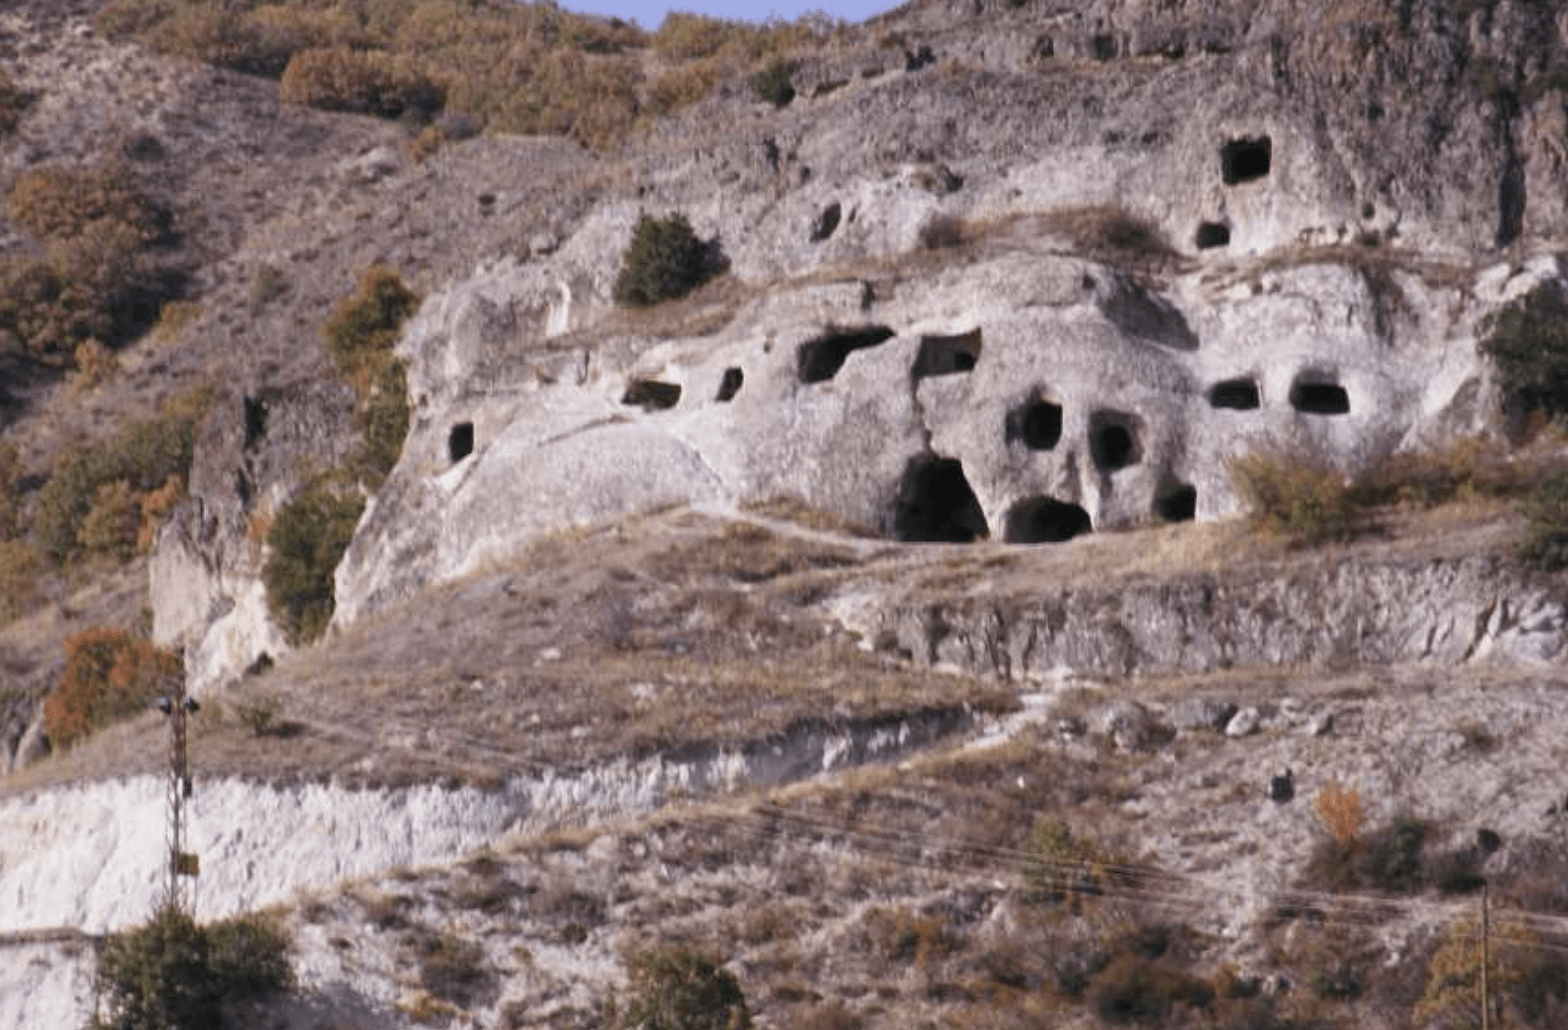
[1028, 399]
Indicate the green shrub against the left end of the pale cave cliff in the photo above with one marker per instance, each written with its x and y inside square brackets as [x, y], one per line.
[308, 540]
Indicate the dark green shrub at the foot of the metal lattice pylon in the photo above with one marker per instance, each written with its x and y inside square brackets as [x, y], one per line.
[175, 974]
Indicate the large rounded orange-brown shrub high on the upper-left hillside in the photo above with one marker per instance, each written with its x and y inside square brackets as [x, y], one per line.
[366, 82]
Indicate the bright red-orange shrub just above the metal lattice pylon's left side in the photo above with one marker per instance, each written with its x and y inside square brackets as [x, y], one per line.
[109, 676]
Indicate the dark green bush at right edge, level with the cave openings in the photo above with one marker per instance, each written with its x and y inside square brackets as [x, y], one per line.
[1528, 343]
